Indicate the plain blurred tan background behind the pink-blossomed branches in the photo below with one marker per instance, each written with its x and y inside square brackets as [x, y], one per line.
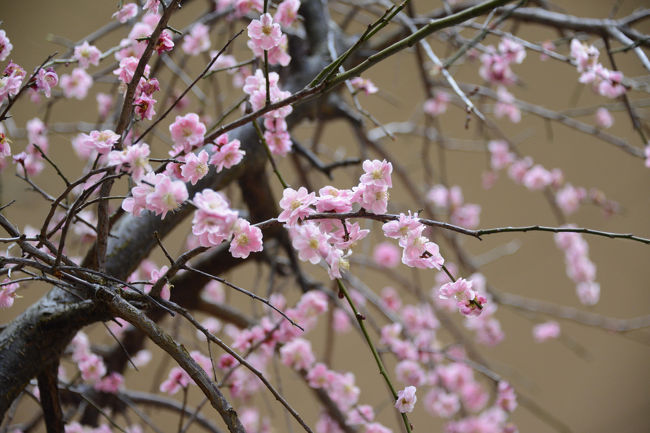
[592, 380]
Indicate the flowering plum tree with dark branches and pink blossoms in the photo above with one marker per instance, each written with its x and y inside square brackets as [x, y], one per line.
[211, 129]
